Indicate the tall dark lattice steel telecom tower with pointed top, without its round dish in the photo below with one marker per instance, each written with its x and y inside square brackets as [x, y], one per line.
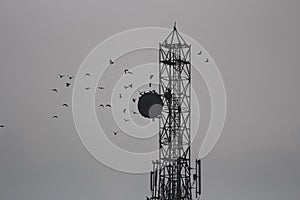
[171, 178]
